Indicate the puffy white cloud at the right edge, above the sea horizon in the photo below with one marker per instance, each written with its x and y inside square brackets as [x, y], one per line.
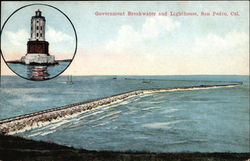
[227, 54]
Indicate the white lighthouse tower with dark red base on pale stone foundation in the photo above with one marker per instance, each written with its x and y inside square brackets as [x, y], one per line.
[37, 46]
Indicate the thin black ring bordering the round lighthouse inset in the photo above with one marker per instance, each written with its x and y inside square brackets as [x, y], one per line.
[67, 19]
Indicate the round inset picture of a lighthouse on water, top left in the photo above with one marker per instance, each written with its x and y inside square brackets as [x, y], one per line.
[38, 42]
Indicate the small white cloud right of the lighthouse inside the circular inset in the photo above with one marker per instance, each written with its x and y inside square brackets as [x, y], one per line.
[57, 36]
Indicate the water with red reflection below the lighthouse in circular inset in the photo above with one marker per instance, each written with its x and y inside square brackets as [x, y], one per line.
[35, 72]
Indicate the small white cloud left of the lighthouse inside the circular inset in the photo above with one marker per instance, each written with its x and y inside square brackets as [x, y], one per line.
[17, 38]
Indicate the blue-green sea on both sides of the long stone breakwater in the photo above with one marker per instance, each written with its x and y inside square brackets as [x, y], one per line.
[207, 120]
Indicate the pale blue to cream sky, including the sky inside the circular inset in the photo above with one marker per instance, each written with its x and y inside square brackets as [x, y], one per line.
[136, 45]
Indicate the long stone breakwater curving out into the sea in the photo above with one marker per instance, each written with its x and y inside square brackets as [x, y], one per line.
[23, 122]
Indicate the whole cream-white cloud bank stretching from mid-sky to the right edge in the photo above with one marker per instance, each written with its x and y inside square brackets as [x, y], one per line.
[146, 51]
